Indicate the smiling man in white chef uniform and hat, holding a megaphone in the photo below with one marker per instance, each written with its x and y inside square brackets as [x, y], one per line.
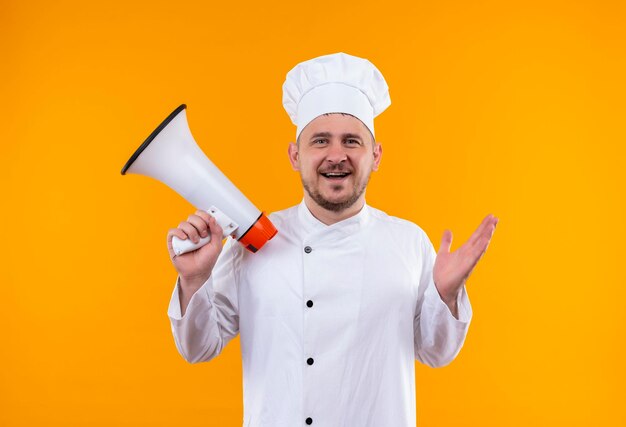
[335, 309]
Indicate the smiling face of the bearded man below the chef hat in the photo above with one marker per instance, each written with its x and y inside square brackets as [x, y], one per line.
[335, 156]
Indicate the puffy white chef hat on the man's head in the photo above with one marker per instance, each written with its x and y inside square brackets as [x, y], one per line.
[337, 83]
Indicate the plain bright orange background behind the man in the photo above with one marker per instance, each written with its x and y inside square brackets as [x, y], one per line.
[515, 108]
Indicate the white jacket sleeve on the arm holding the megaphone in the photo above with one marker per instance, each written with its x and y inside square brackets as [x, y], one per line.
[212, 316]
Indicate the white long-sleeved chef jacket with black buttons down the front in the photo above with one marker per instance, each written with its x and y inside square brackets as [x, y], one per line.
[331, 319]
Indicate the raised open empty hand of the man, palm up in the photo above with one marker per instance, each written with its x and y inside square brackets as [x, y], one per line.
[452, 269]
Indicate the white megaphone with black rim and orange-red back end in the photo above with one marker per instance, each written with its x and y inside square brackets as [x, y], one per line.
[171, 155]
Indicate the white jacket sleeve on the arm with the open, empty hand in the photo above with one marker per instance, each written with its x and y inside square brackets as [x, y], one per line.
[439, 336]
